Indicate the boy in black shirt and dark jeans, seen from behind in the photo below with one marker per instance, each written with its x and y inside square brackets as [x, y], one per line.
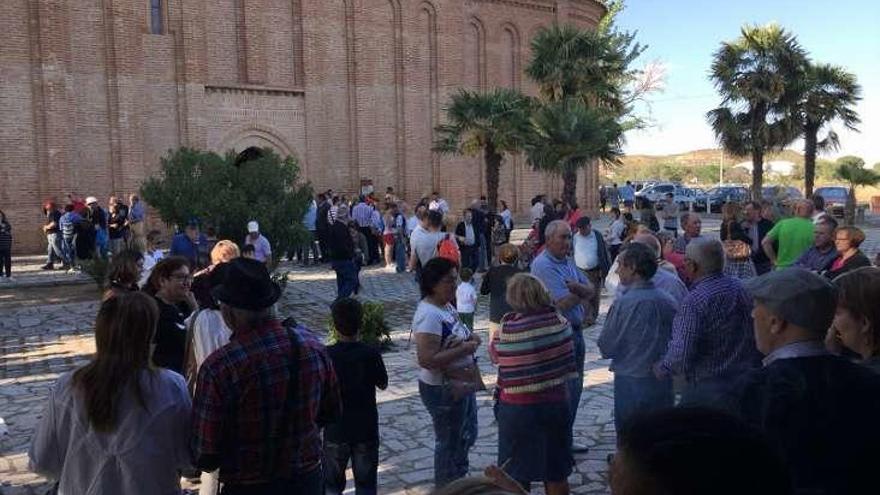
[360, 370]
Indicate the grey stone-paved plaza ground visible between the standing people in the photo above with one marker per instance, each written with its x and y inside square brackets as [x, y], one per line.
[46, 330]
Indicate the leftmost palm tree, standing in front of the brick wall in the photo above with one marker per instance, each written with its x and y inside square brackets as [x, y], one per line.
[496, 122]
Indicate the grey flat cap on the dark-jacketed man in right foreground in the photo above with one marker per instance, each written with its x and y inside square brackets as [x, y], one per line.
[798, 296]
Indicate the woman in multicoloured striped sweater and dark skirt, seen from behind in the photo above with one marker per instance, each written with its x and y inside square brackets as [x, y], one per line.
[535, 355]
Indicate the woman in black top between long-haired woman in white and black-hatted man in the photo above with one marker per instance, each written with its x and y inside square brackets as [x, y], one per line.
[169, 284]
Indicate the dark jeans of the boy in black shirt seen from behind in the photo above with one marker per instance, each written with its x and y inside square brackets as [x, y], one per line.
[364, 462]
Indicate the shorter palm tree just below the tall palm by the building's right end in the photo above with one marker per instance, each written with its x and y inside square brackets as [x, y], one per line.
[569, 135]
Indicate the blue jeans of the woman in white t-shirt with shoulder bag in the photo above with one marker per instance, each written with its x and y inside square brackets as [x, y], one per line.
[455, 431]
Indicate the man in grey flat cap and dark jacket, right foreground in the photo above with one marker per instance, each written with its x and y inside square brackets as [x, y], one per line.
[822, 411]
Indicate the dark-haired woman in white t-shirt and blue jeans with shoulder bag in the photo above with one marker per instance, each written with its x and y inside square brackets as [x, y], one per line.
[445, 350]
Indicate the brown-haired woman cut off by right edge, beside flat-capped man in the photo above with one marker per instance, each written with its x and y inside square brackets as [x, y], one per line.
[857, 319]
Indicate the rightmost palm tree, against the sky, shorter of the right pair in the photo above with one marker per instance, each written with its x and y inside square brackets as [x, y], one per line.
[826, 93]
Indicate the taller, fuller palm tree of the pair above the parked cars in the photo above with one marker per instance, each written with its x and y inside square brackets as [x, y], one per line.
[752, 74]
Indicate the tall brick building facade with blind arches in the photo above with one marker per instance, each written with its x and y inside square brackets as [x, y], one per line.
[92, 98]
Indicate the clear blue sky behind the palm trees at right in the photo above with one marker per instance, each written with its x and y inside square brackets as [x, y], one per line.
[683, 34]
